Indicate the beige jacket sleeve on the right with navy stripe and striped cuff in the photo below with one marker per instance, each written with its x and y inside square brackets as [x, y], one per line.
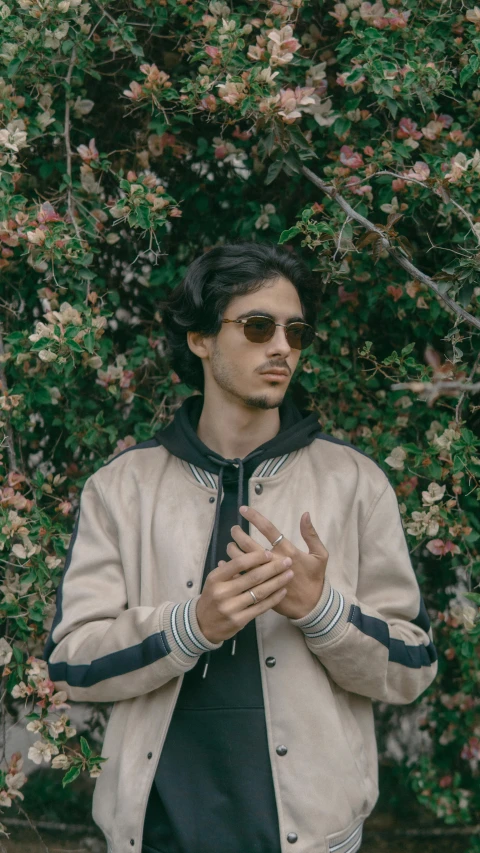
[379, 642]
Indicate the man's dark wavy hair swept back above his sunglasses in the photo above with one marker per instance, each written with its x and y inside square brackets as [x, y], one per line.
[199, 301]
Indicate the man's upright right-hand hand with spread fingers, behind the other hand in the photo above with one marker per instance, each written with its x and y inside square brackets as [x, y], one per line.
[306, 586]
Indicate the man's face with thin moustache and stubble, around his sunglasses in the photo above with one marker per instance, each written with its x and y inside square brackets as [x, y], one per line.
[237, 365]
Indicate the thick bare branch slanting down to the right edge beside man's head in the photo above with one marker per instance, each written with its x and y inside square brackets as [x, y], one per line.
[394, 253]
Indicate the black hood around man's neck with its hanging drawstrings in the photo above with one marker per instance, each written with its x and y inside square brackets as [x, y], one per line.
[297, 429]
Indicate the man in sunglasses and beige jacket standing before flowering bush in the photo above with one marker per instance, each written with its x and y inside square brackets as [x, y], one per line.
[242, 535]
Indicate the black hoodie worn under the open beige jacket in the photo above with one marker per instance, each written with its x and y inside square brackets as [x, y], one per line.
[213, 789]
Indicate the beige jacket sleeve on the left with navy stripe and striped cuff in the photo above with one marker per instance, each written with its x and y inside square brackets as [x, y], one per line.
[99, 649]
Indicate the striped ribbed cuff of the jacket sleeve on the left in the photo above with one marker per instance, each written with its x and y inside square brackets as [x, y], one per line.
[183, 631]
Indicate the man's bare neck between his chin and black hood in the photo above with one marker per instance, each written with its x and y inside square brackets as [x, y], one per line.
[237, 429]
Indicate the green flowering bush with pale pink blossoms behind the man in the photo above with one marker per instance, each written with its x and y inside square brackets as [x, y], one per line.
[135, 135]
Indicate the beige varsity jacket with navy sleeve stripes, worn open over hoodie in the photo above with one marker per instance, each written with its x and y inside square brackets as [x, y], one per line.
[125, 628]
